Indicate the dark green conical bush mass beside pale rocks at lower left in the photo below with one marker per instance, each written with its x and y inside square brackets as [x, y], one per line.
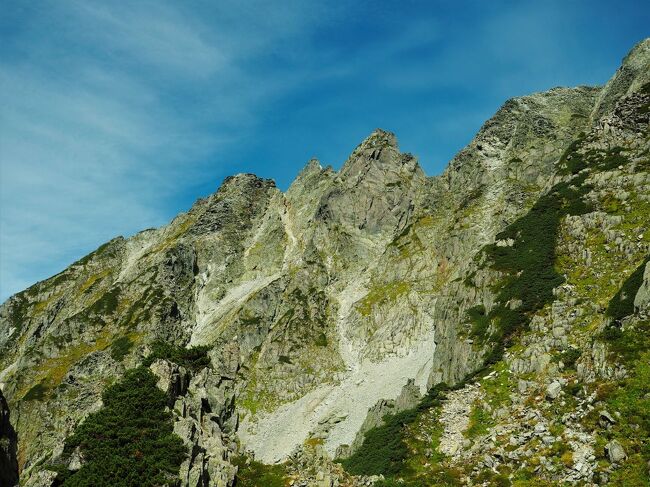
[129, 442]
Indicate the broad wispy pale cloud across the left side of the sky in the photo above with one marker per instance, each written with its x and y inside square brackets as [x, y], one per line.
[109, 110]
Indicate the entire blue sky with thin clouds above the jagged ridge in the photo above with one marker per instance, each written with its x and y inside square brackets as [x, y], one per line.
[115, 116]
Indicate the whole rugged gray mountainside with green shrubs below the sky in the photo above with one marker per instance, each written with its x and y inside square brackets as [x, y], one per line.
[372, 325]
